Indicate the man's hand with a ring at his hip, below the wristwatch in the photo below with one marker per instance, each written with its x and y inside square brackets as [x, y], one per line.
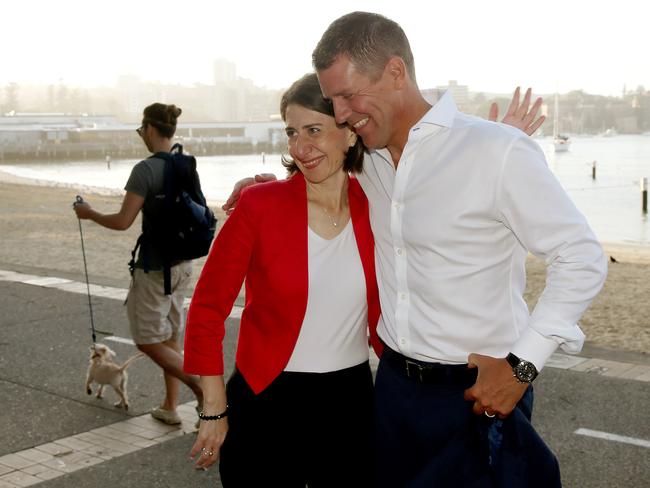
[496, 390]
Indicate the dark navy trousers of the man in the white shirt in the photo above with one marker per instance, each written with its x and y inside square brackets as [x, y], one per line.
[427, 435]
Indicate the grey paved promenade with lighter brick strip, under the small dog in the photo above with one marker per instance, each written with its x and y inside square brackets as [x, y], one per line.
[592, 409]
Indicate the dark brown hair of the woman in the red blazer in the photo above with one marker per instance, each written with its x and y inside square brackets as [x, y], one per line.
[306, 92]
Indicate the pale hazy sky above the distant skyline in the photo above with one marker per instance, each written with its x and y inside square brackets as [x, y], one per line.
[598, 46]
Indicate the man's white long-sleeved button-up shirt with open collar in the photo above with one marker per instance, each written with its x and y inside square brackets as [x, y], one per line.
[452, 228]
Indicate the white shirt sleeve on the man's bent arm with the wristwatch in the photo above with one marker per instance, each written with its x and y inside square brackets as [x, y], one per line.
[533, 204]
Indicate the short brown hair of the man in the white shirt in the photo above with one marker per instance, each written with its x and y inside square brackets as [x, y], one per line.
[368, 40]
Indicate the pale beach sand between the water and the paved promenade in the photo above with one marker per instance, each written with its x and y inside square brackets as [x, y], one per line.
[39, 234]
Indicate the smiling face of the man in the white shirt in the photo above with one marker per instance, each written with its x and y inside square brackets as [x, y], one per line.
[365, 105]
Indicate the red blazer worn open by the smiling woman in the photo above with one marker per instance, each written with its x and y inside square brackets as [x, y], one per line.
[265, 242]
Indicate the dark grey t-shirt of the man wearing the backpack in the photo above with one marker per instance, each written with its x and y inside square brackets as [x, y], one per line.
[147, 180]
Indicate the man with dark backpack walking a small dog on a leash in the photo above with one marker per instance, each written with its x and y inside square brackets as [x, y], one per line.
[166, 188]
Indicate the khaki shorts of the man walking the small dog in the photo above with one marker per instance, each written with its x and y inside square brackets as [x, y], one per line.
[153, 316]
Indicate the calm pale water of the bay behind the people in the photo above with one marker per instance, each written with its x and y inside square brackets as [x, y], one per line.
[612, 203]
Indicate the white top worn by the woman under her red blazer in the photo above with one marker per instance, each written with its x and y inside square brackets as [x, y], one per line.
[334, 332]
